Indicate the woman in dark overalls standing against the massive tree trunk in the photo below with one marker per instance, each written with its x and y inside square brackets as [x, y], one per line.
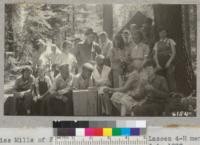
[164, 56]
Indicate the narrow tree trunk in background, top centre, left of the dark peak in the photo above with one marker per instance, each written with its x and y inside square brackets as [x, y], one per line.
[108, 19]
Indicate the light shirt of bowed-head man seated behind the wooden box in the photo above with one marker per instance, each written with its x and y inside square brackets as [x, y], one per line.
[80, 83]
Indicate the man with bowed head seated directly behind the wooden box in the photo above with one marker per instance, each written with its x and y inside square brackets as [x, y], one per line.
[84, 79]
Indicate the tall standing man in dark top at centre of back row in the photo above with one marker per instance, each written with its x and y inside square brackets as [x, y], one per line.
[88, 49]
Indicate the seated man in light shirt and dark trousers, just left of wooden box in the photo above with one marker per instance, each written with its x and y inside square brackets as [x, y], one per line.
[60, 102]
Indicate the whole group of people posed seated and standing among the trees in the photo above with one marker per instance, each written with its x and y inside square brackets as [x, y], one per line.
[133, 74]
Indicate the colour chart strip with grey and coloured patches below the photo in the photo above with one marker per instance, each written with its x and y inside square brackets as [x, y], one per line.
[99, 128]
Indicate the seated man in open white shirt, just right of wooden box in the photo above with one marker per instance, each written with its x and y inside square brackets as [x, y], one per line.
[102, 79]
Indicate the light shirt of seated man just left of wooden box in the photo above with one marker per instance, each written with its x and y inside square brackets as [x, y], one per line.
[60, 83]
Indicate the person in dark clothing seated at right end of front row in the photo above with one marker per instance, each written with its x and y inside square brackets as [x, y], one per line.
[156, 91]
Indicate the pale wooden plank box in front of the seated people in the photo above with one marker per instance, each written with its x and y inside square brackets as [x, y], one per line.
[85, 102]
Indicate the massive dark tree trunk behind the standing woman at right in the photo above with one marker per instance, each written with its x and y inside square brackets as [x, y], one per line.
[173, 18]
